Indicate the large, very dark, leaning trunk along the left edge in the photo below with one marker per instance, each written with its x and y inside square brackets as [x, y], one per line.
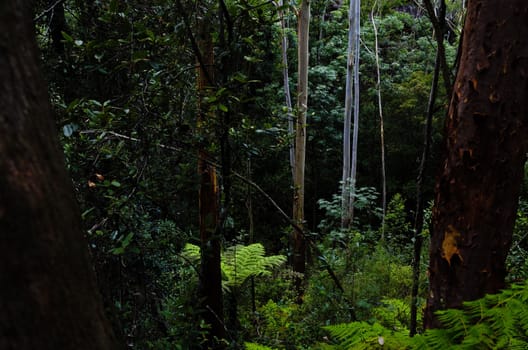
[48, 294]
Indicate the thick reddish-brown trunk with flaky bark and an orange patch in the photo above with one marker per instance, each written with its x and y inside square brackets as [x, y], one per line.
[477, 190]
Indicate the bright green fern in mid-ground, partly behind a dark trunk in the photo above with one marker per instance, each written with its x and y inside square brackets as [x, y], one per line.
[239, 262]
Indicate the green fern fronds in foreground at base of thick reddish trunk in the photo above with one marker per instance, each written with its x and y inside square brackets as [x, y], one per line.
[498, 321]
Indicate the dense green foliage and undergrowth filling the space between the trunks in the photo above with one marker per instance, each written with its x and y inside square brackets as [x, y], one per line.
[122, 81]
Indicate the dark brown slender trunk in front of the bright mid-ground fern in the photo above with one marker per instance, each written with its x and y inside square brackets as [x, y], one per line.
[210, 272]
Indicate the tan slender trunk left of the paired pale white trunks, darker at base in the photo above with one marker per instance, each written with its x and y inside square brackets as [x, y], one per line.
[299, 242]
